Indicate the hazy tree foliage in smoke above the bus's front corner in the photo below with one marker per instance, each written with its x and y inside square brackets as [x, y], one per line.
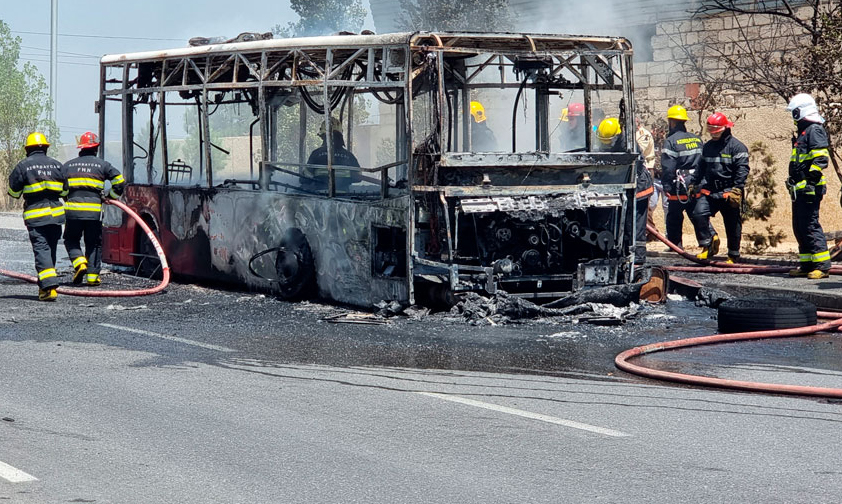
[455, 15]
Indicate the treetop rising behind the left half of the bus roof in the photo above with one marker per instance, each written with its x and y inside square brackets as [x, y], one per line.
[323, 17]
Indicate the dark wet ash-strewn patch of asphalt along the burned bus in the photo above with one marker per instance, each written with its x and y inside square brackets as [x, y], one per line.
[266, 329]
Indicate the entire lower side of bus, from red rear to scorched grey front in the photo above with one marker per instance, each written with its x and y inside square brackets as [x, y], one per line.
[212, 234]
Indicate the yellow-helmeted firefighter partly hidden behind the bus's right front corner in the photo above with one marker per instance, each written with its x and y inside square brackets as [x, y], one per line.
[611, 139]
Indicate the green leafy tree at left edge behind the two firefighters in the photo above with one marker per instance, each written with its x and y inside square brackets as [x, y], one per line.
[24, 107]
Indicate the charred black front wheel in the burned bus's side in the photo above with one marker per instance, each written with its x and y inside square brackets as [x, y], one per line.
[295, 267]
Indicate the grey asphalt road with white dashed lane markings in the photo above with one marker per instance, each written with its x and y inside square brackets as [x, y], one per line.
[200, 395]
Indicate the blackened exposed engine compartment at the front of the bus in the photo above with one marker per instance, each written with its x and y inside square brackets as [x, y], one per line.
[528, 243]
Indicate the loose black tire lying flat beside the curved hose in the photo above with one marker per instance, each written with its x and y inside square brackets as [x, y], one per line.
[760, 314]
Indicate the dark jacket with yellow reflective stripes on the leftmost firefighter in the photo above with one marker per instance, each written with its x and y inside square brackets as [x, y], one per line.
[39, 180]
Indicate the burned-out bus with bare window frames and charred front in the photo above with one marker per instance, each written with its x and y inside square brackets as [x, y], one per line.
[361, 168]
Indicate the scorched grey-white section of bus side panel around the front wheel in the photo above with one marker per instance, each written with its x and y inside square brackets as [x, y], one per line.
[241, 224]
